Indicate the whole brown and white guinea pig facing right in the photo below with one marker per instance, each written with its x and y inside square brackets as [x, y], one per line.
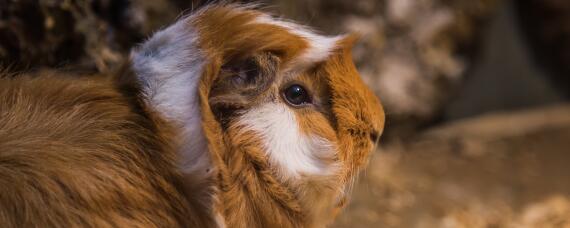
[230, 117]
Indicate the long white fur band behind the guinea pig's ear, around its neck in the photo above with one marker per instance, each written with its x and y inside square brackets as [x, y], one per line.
[169, 67]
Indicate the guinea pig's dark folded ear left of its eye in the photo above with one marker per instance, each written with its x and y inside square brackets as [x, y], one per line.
[240, 82]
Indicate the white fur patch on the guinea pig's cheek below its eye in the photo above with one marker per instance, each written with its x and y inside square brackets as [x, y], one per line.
[292, 152]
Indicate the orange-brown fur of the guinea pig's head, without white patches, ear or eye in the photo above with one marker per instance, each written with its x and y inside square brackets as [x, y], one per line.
[249, 192]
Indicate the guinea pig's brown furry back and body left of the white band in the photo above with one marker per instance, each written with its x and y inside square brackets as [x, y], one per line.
[76, 152]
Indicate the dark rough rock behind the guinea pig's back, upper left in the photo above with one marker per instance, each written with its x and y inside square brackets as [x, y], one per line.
[93, 35]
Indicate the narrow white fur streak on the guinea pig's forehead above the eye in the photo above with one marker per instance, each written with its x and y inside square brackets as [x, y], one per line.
[320, 46]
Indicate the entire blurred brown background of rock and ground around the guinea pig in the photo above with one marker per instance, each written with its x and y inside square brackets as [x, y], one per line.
[476, 95]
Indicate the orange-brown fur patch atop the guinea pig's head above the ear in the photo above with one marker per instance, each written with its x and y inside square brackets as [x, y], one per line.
[228, 35]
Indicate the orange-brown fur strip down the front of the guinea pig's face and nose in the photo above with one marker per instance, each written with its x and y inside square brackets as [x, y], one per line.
[359, 115]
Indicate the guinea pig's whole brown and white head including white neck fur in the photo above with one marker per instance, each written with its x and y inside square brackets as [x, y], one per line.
[274, 114]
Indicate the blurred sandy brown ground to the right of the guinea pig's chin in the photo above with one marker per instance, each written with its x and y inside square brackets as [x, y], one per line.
[498, 170]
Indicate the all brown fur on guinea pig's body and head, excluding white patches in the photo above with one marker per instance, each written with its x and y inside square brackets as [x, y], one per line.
[89, 152]
